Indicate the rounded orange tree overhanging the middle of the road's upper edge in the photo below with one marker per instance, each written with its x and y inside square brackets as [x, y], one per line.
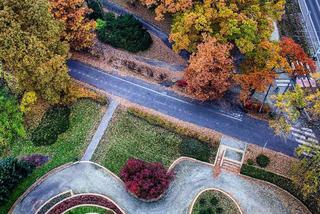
[208, 75]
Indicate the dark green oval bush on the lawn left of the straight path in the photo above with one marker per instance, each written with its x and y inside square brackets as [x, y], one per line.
[55, 122]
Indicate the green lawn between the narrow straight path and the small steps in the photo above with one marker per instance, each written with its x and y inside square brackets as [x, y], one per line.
[131, 137]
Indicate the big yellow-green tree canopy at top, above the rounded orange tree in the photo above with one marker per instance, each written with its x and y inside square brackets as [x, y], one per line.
[245, 23]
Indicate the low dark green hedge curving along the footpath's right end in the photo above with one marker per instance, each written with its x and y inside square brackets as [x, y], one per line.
[285, 183]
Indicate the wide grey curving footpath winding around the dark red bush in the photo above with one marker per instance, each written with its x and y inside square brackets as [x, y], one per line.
[191, 177]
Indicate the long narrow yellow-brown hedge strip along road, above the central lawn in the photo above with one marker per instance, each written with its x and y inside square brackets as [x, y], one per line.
[167, 124]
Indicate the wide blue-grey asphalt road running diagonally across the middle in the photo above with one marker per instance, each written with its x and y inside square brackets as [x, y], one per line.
[232, 122]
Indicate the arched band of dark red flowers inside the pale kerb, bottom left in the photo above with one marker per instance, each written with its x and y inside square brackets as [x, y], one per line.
[84, 199]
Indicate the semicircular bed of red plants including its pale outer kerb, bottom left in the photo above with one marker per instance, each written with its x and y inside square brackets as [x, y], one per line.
[91, 199]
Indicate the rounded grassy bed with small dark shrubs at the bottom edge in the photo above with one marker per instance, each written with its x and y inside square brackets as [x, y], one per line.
[212, 201]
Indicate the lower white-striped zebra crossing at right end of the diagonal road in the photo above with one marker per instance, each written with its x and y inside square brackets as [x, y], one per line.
[304, 136]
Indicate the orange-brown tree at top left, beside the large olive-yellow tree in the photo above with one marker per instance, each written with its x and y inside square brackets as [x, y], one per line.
[79, 31]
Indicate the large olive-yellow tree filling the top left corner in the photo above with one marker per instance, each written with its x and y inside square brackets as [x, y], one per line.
[30, 48]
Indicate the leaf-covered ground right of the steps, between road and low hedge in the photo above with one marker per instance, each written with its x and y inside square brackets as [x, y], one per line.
[279, 163]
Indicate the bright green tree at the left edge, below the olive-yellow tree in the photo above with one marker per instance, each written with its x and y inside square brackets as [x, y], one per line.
[11, 120]
